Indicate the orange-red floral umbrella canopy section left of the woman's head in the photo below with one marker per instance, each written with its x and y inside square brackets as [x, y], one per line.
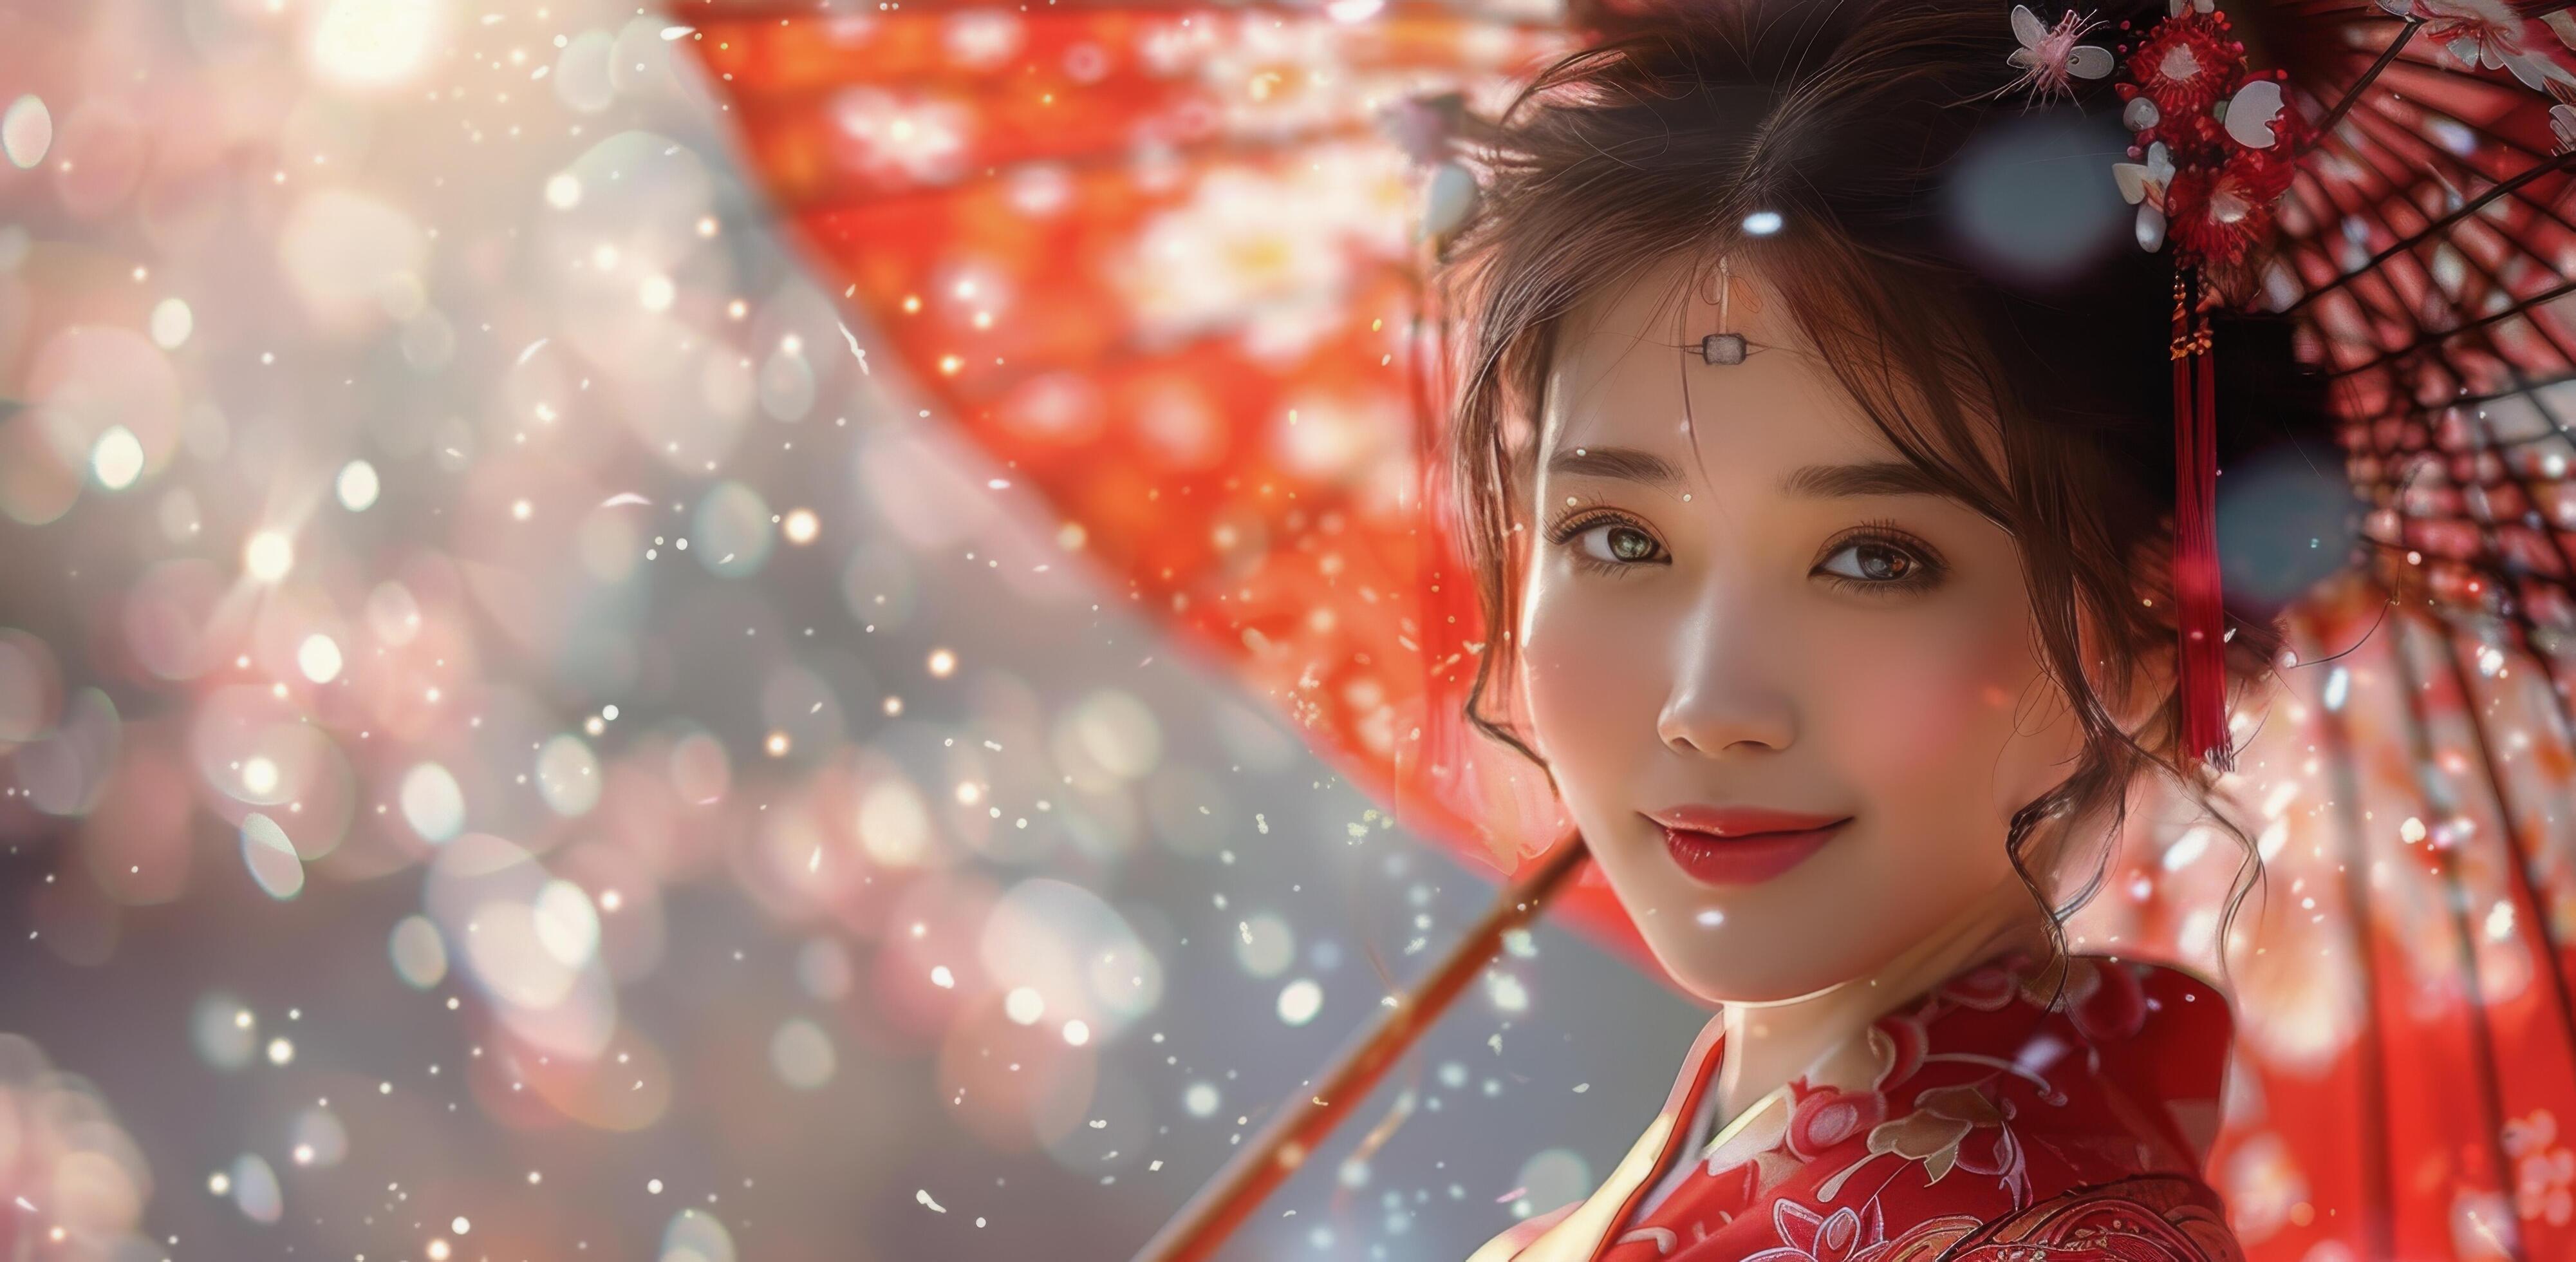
[1163, 264]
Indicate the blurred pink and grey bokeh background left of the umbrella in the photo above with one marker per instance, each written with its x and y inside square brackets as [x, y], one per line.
[519, 740]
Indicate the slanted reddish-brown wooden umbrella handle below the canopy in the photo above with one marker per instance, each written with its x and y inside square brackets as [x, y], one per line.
[1284, 1145]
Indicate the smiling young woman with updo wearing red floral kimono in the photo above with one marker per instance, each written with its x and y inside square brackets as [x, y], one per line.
[1817, 452]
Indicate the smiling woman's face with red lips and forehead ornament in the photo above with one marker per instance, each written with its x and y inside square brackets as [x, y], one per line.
[1758, 607]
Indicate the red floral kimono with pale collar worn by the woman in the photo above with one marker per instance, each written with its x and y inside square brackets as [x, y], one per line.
[1998, 1119]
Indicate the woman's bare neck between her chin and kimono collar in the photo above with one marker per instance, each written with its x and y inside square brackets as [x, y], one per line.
[1774, 1044]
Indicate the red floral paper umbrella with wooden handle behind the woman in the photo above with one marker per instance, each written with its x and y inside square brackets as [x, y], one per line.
[1163, 261]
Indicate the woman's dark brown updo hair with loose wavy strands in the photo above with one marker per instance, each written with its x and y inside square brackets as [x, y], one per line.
[1956, 254]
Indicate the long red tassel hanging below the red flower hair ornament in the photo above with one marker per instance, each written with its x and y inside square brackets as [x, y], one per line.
[2201, 617]
